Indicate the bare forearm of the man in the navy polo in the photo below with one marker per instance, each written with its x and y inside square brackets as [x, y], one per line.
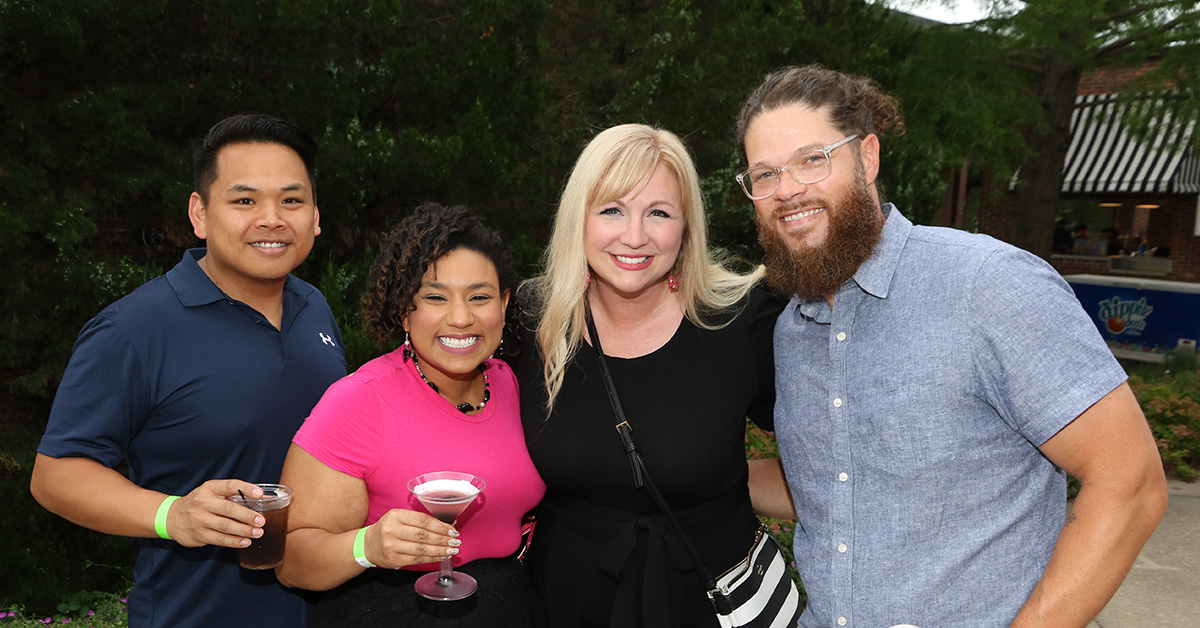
[94, 497]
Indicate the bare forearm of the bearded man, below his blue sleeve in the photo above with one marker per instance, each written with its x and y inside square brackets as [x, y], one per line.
[1105, 533]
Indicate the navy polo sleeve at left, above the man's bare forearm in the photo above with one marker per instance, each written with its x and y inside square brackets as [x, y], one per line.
[104, 400]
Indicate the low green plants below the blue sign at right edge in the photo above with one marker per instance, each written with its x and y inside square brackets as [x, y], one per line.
[1171, 398]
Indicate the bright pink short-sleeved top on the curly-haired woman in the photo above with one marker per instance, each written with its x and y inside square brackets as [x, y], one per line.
[383, 424]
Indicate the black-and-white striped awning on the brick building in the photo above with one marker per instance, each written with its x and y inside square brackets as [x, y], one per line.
[1105, 158]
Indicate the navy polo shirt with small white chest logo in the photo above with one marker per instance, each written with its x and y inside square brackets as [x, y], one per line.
[188, 385]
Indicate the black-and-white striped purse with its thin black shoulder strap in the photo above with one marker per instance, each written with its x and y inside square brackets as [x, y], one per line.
[757, 593]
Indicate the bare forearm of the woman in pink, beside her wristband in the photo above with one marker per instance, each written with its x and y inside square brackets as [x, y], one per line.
[319, 560]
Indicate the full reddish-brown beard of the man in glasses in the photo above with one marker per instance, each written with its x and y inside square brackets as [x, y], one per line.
[814, 272]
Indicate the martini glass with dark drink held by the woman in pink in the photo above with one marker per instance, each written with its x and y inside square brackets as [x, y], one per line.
[446, 495]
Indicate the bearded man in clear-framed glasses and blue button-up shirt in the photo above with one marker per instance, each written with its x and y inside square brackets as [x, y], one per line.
[933, 388]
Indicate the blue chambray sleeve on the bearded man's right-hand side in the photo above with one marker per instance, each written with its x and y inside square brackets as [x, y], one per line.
[1041, 361]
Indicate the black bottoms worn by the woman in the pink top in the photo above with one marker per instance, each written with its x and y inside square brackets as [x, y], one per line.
[386, 599]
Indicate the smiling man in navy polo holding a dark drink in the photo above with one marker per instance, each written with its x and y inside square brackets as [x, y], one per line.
[199, 380]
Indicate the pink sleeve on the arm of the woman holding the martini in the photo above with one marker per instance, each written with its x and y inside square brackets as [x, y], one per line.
[345, 430]
